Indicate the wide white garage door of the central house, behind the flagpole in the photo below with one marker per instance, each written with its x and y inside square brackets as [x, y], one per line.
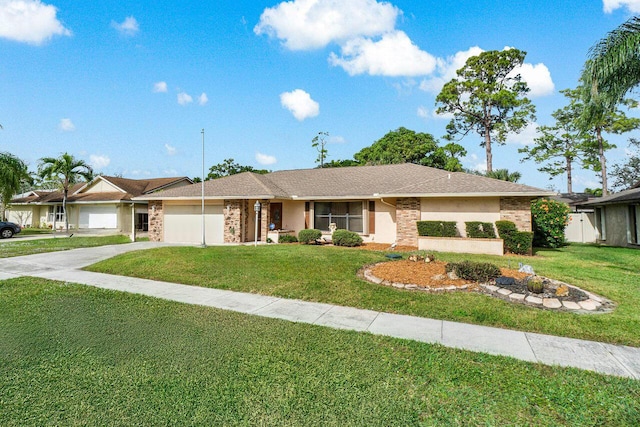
[183, 224]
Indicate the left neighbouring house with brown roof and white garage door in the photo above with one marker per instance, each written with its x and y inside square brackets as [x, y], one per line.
[104, 203]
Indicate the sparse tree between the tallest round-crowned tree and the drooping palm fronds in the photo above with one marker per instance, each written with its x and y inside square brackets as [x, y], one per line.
[563, 143]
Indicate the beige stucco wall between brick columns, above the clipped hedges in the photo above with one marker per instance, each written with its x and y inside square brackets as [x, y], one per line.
[461, 210]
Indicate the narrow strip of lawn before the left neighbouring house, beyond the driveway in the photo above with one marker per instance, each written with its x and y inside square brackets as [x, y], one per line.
[16, 247]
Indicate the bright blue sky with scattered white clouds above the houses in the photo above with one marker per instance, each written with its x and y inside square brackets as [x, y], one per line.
[128, 86]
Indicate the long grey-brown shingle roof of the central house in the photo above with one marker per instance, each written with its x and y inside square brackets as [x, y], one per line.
[350, 182]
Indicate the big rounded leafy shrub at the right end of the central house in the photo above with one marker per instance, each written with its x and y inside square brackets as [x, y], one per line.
[549, 221]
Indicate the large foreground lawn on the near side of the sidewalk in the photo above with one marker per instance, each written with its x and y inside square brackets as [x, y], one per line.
[76, 355]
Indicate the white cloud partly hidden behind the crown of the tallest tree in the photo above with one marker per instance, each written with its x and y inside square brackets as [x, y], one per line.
[537, 76]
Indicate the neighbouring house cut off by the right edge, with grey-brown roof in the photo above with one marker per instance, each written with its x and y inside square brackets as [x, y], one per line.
[617, 218]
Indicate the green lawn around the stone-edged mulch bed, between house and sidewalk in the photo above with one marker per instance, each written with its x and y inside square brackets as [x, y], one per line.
[328, 274]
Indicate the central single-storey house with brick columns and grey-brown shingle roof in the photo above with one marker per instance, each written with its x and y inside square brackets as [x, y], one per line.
[381, 203]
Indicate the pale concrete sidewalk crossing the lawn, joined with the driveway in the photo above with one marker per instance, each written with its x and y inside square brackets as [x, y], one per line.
[603, 358]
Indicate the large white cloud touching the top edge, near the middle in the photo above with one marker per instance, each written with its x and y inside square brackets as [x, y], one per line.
[313, 24]
